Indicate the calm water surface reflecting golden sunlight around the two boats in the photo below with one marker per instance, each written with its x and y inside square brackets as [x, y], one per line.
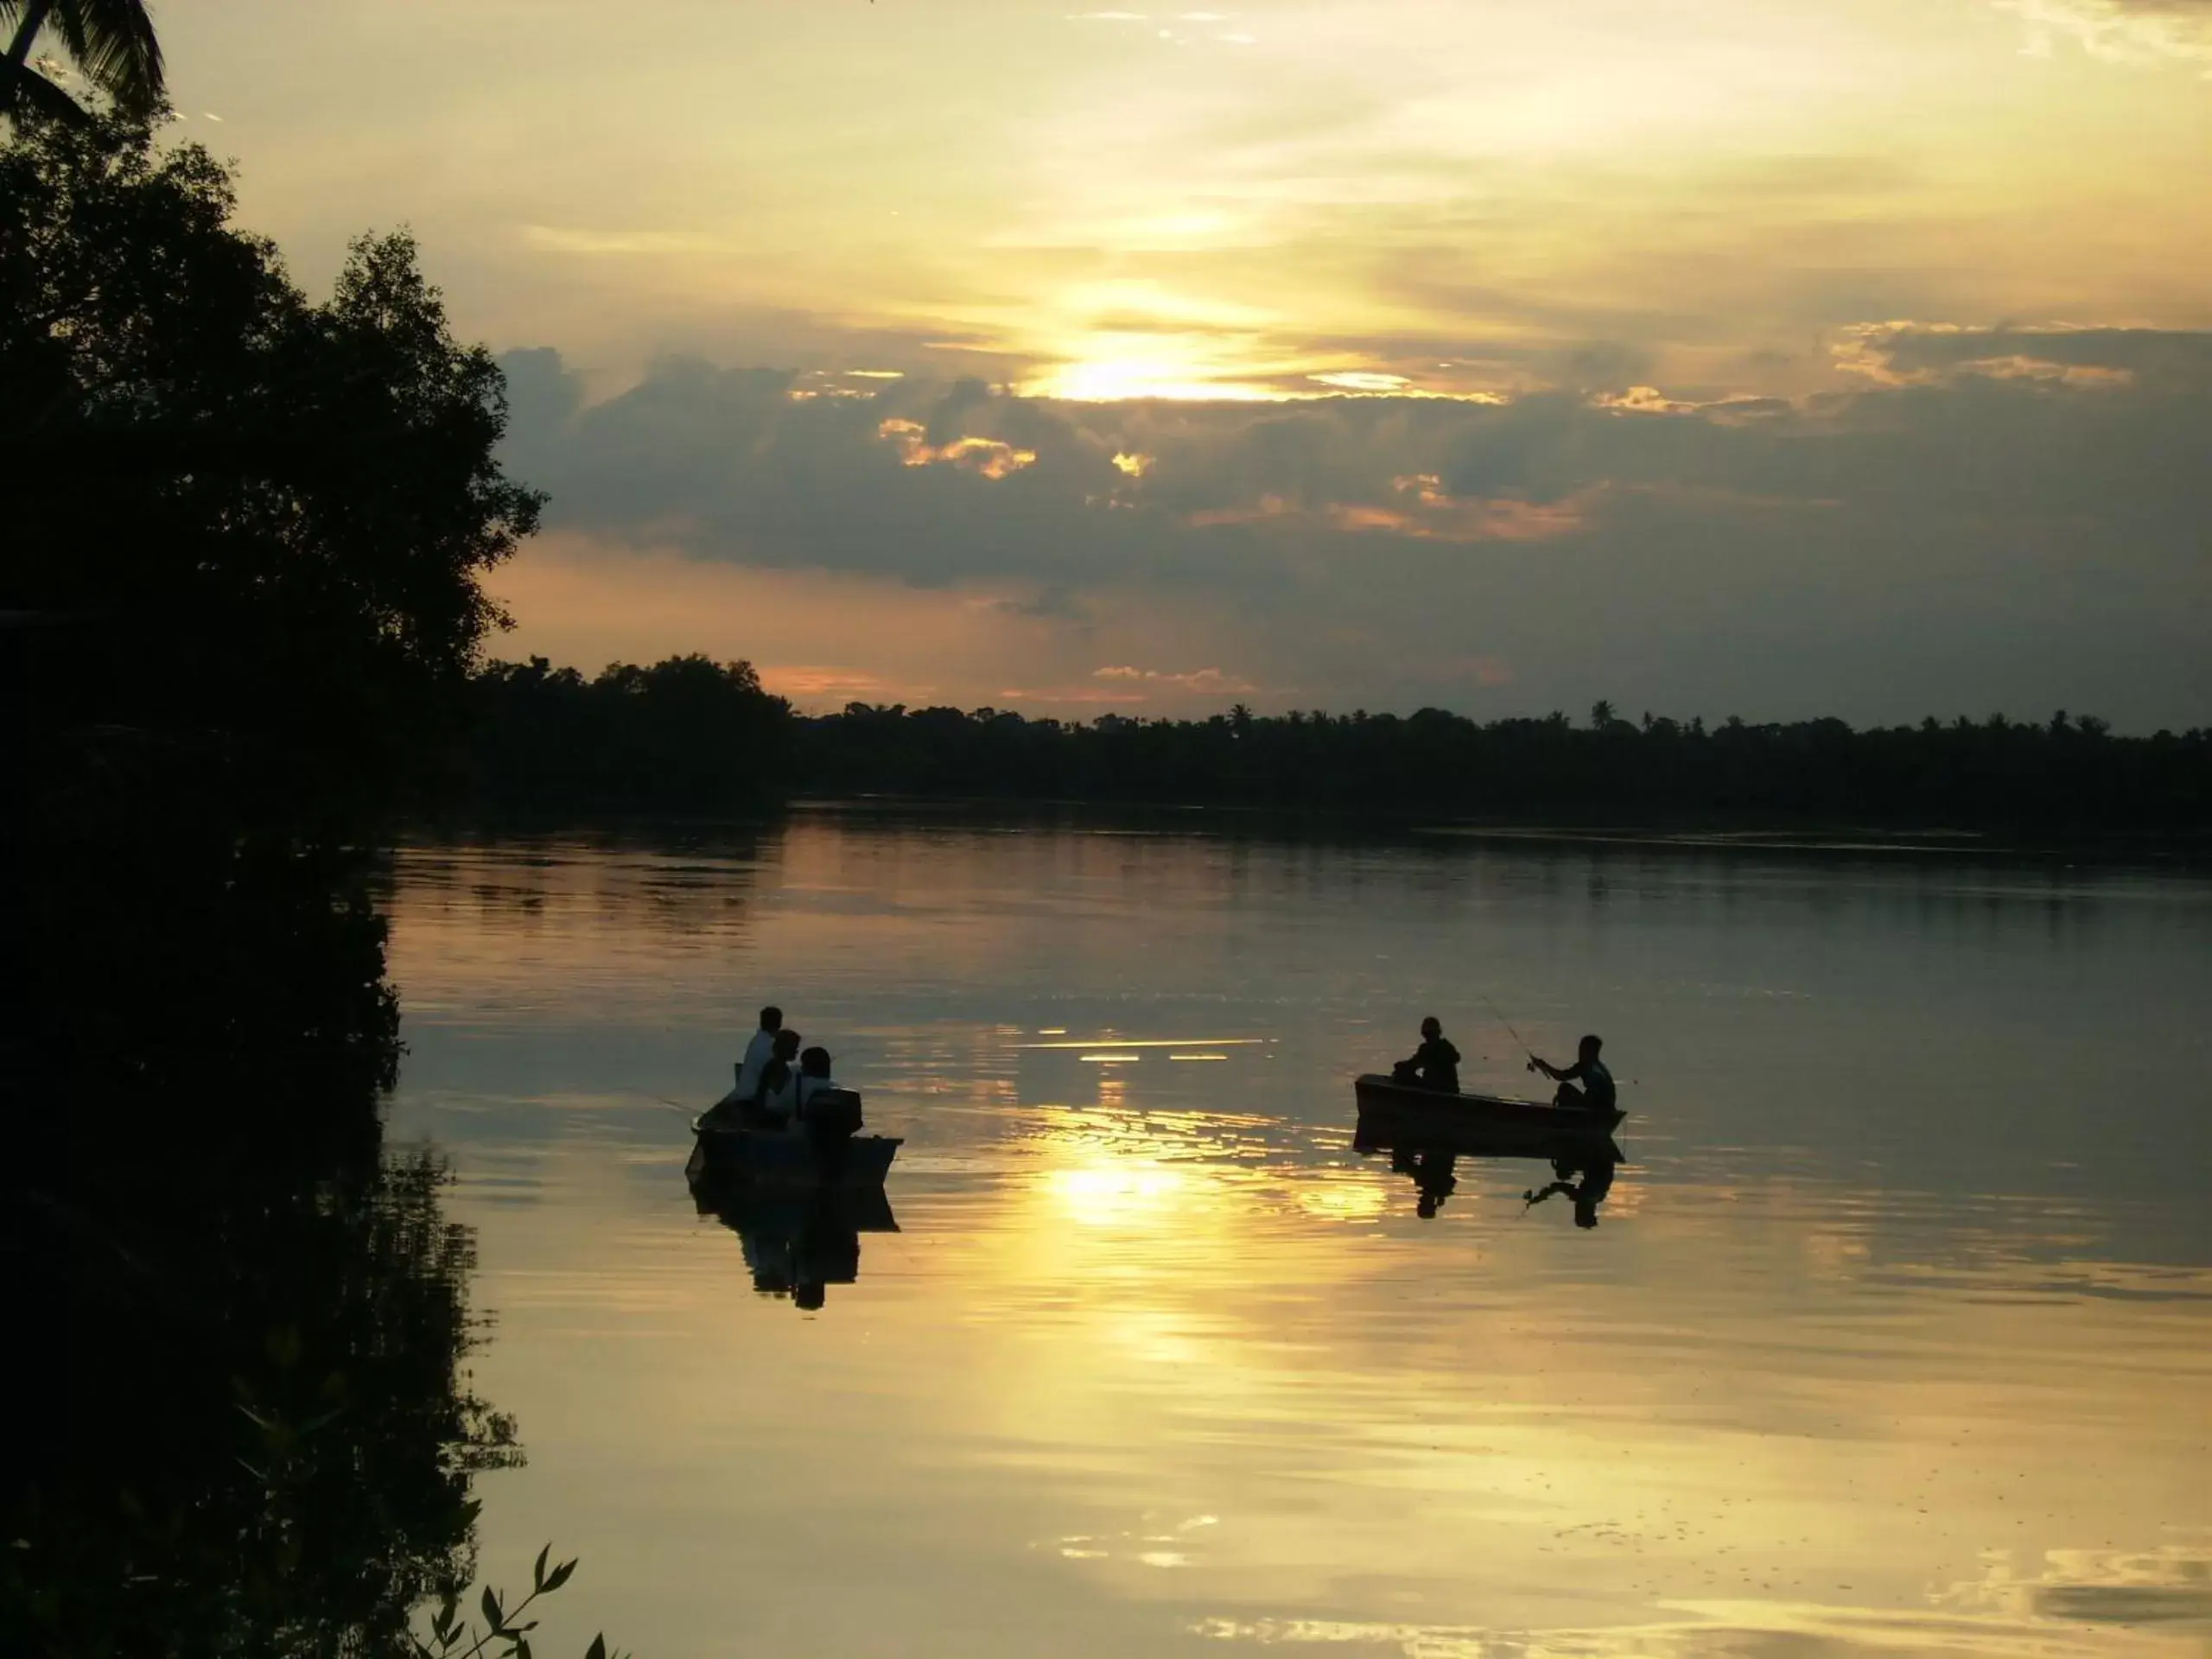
[1895, 1333]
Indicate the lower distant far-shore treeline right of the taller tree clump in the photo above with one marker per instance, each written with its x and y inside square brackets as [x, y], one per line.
[1990, 775]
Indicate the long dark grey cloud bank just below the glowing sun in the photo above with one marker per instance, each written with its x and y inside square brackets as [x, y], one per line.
[1963, 534]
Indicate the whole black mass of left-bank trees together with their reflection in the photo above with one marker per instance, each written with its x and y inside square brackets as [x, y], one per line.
[242, 587]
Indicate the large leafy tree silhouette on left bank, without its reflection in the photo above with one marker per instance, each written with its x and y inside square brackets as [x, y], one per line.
[249, 523]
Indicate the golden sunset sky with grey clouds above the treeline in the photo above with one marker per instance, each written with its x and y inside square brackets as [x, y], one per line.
[1709, 357]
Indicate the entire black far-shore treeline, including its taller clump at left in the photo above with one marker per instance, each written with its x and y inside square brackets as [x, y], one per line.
[689, 733]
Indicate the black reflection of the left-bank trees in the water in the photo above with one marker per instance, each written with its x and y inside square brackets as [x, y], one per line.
[251, 1322]
